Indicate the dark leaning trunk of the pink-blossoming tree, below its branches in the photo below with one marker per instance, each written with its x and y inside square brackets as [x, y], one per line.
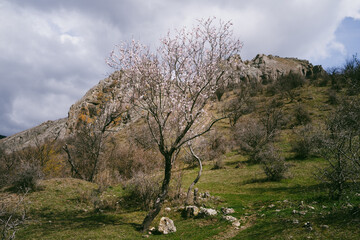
[161, 197]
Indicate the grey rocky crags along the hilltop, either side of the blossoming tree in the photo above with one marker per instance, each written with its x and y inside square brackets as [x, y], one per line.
[263, 68]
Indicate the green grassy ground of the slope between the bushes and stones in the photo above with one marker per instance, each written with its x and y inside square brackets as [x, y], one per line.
[295, 207]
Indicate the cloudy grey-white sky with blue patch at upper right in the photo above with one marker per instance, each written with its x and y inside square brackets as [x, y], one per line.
[53, 51]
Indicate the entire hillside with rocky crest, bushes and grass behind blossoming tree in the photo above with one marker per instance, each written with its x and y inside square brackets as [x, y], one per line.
[268, 161]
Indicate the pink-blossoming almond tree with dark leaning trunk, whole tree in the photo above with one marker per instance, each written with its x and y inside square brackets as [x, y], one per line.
[172, 85]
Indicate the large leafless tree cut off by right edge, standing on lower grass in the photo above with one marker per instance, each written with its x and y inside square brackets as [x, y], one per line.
[341, 149]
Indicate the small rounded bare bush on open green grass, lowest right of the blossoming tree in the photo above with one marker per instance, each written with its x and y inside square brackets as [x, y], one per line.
[272, 163]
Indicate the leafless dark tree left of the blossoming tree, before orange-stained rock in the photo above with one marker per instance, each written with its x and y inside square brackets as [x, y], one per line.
[86, 147]
